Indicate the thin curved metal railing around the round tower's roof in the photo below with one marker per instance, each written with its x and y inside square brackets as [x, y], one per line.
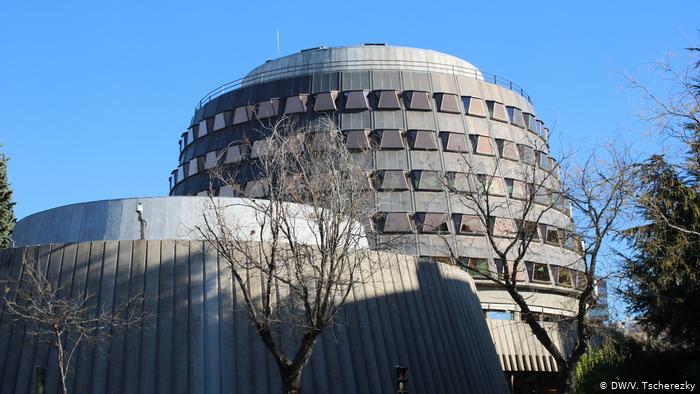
[356, 65]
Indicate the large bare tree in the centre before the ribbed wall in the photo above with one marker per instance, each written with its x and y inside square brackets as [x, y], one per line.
[296, 258]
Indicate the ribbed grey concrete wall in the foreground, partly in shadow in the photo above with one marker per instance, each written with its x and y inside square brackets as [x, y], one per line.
[422, 315]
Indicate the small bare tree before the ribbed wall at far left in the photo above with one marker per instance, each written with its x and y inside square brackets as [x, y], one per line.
[63, 323]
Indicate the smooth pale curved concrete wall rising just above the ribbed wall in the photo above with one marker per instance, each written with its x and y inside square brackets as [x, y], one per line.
[175, 218]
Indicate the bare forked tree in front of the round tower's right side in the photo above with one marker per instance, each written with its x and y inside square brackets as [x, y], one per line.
[598, 190]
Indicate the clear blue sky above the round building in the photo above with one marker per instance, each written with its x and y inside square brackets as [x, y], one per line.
[94, 95]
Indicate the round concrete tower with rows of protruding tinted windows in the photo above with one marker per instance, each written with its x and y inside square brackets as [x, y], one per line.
[422, 116]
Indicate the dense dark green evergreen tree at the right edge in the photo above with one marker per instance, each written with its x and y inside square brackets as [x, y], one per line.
[664, 270]
